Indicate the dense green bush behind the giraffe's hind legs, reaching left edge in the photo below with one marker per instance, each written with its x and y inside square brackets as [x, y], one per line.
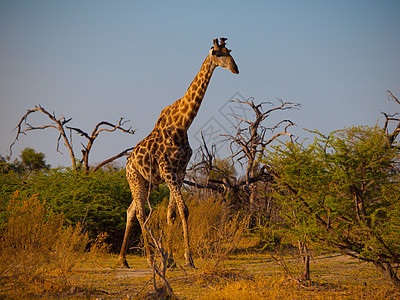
[97, 200]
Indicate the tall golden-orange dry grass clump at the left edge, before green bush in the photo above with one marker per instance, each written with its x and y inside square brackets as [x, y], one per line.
[37, 252]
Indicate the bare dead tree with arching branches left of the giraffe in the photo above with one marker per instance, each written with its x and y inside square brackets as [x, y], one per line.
[60, 124]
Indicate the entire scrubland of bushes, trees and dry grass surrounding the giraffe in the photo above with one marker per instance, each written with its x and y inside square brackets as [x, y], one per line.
[306, 221]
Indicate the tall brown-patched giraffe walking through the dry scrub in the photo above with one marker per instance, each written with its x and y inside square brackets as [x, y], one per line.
[164, 154]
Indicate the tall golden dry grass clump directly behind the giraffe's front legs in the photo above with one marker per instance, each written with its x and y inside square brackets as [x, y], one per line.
[214, 230]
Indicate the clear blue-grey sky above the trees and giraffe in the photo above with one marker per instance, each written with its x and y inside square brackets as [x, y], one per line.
[102, 60]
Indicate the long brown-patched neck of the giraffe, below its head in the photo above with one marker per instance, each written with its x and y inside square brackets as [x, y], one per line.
[190, 103]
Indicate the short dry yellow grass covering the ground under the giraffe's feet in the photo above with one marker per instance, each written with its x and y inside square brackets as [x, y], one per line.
[250, 276]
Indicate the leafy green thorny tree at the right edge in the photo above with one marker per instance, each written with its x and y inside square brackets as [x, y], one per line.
[343, 191]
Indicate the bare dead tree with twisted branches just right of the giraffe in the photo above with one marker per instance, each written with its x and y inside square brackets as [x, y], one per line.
[248, 145]
